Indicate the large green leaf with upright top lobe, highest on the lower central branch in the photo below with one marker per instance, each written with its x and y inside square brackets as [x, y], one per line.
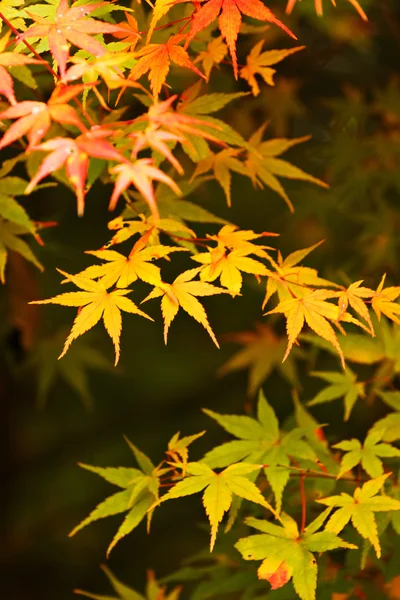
[260, 441]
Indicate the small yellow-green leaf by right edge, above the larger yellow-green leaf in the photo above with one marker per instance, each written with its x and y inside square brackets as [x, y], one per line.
[368, 454]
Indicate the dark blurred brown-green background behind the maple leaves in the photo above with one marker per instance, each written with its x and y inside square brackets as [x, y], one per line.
[343, 90]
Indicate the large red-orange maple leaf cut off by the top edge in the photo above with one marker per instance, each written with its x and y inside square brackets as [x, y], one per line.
[229, 21]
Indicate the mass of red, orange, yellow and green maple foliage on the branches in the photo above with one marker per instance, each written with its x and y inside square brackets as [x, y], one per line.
[99, 60]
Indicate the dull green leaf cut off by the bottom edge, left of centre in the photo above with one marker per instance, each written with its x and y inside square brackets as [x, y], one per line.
[153, 590]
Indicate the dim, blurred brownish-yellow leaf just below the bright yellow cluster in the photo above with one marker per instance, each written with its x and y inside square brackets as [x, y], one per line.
[262, 353]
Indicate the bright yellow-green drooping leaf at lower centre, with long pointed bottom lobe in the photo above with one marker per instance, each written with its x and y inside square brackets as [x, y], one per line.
[218, 490]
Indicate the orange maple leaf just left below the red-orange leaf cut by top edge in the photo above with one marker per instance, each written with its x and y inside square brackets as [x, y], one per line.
[156, 59]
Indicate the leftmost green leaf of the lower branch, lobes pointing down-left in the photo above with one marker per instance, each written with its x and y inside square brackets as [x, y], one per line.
[139, 492]
